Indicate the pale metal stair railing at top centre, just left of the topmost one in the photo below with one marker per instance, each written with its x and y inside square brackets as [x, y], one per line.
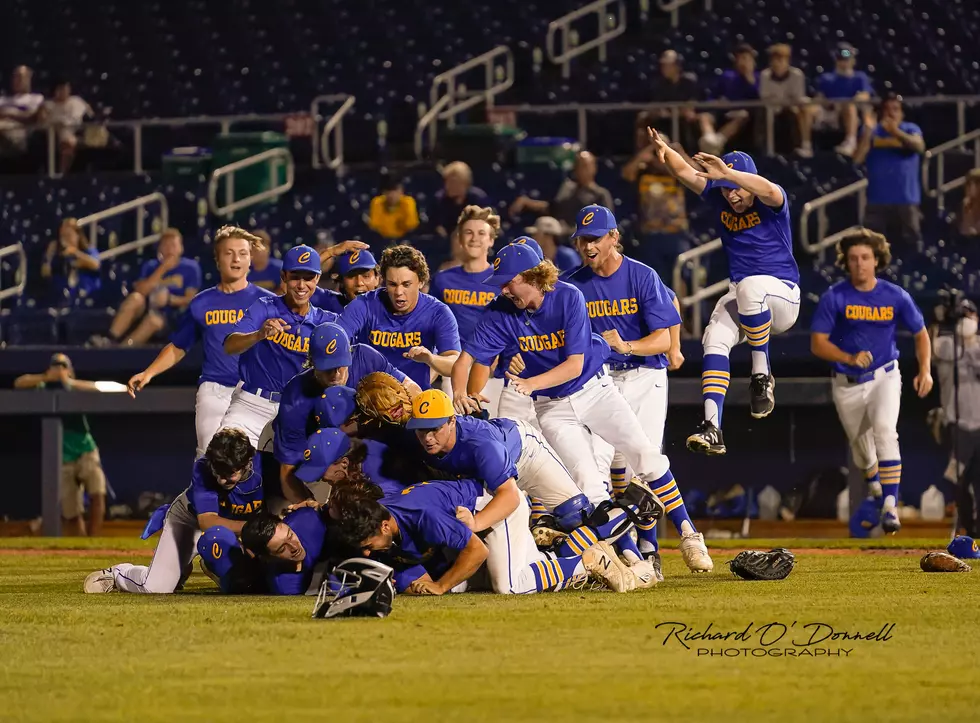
[448, 97]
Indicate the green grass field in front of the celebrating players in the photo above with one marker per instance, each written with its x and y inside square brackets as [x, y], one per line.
[67, 656]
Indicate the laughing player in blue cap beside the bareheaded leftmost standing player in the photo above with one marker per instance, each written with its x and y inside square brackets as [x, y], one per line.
[273, 339]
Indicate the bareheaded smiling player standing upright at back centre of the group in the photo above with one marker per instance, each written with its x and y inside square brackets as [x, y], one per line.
[461, 288]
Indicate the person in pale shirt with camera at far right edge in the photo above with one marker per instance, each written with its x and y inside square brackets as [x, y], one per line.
[956, 349]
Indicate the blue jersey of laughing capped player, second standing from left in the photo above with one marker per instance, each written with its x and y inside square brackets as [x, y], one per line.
[272, 362]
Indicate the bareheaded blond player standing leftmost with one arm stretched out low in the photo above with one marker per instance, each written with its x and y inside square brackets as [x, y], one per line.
[209, 318]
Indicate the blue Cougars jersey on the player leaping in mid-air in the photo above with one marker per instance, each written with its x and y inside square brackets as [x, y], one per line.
[758, 241]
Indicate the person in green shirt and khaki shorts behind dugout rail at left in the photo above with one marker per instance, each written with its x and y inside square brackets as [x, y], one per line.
[81, 467]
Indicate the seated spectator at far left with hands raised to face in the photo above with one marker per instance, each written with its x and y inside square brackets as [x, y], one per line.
[71, 264]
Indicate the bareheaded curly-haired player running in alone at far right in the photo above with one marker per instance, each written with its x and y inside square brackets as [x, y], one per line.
[854, 328]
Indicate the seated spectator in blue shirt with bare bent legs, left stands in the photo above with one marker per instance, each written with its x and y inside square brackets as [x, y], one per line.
[163, 290]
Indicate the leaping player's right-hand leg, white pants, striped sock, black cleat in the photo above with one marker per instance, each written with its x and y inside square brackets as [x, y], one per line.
[757, 299]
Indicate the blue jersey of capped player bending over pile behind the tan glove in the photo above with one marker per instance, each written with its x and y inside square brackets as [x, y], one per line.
[294, 421]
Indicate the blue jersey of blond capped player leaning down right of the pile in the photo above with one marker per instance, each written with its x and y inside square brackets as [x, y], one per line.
[544, 338]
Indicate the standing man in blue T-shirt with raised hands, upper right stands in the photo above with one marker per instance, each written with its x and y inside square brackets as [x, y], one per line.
[890, 149]
